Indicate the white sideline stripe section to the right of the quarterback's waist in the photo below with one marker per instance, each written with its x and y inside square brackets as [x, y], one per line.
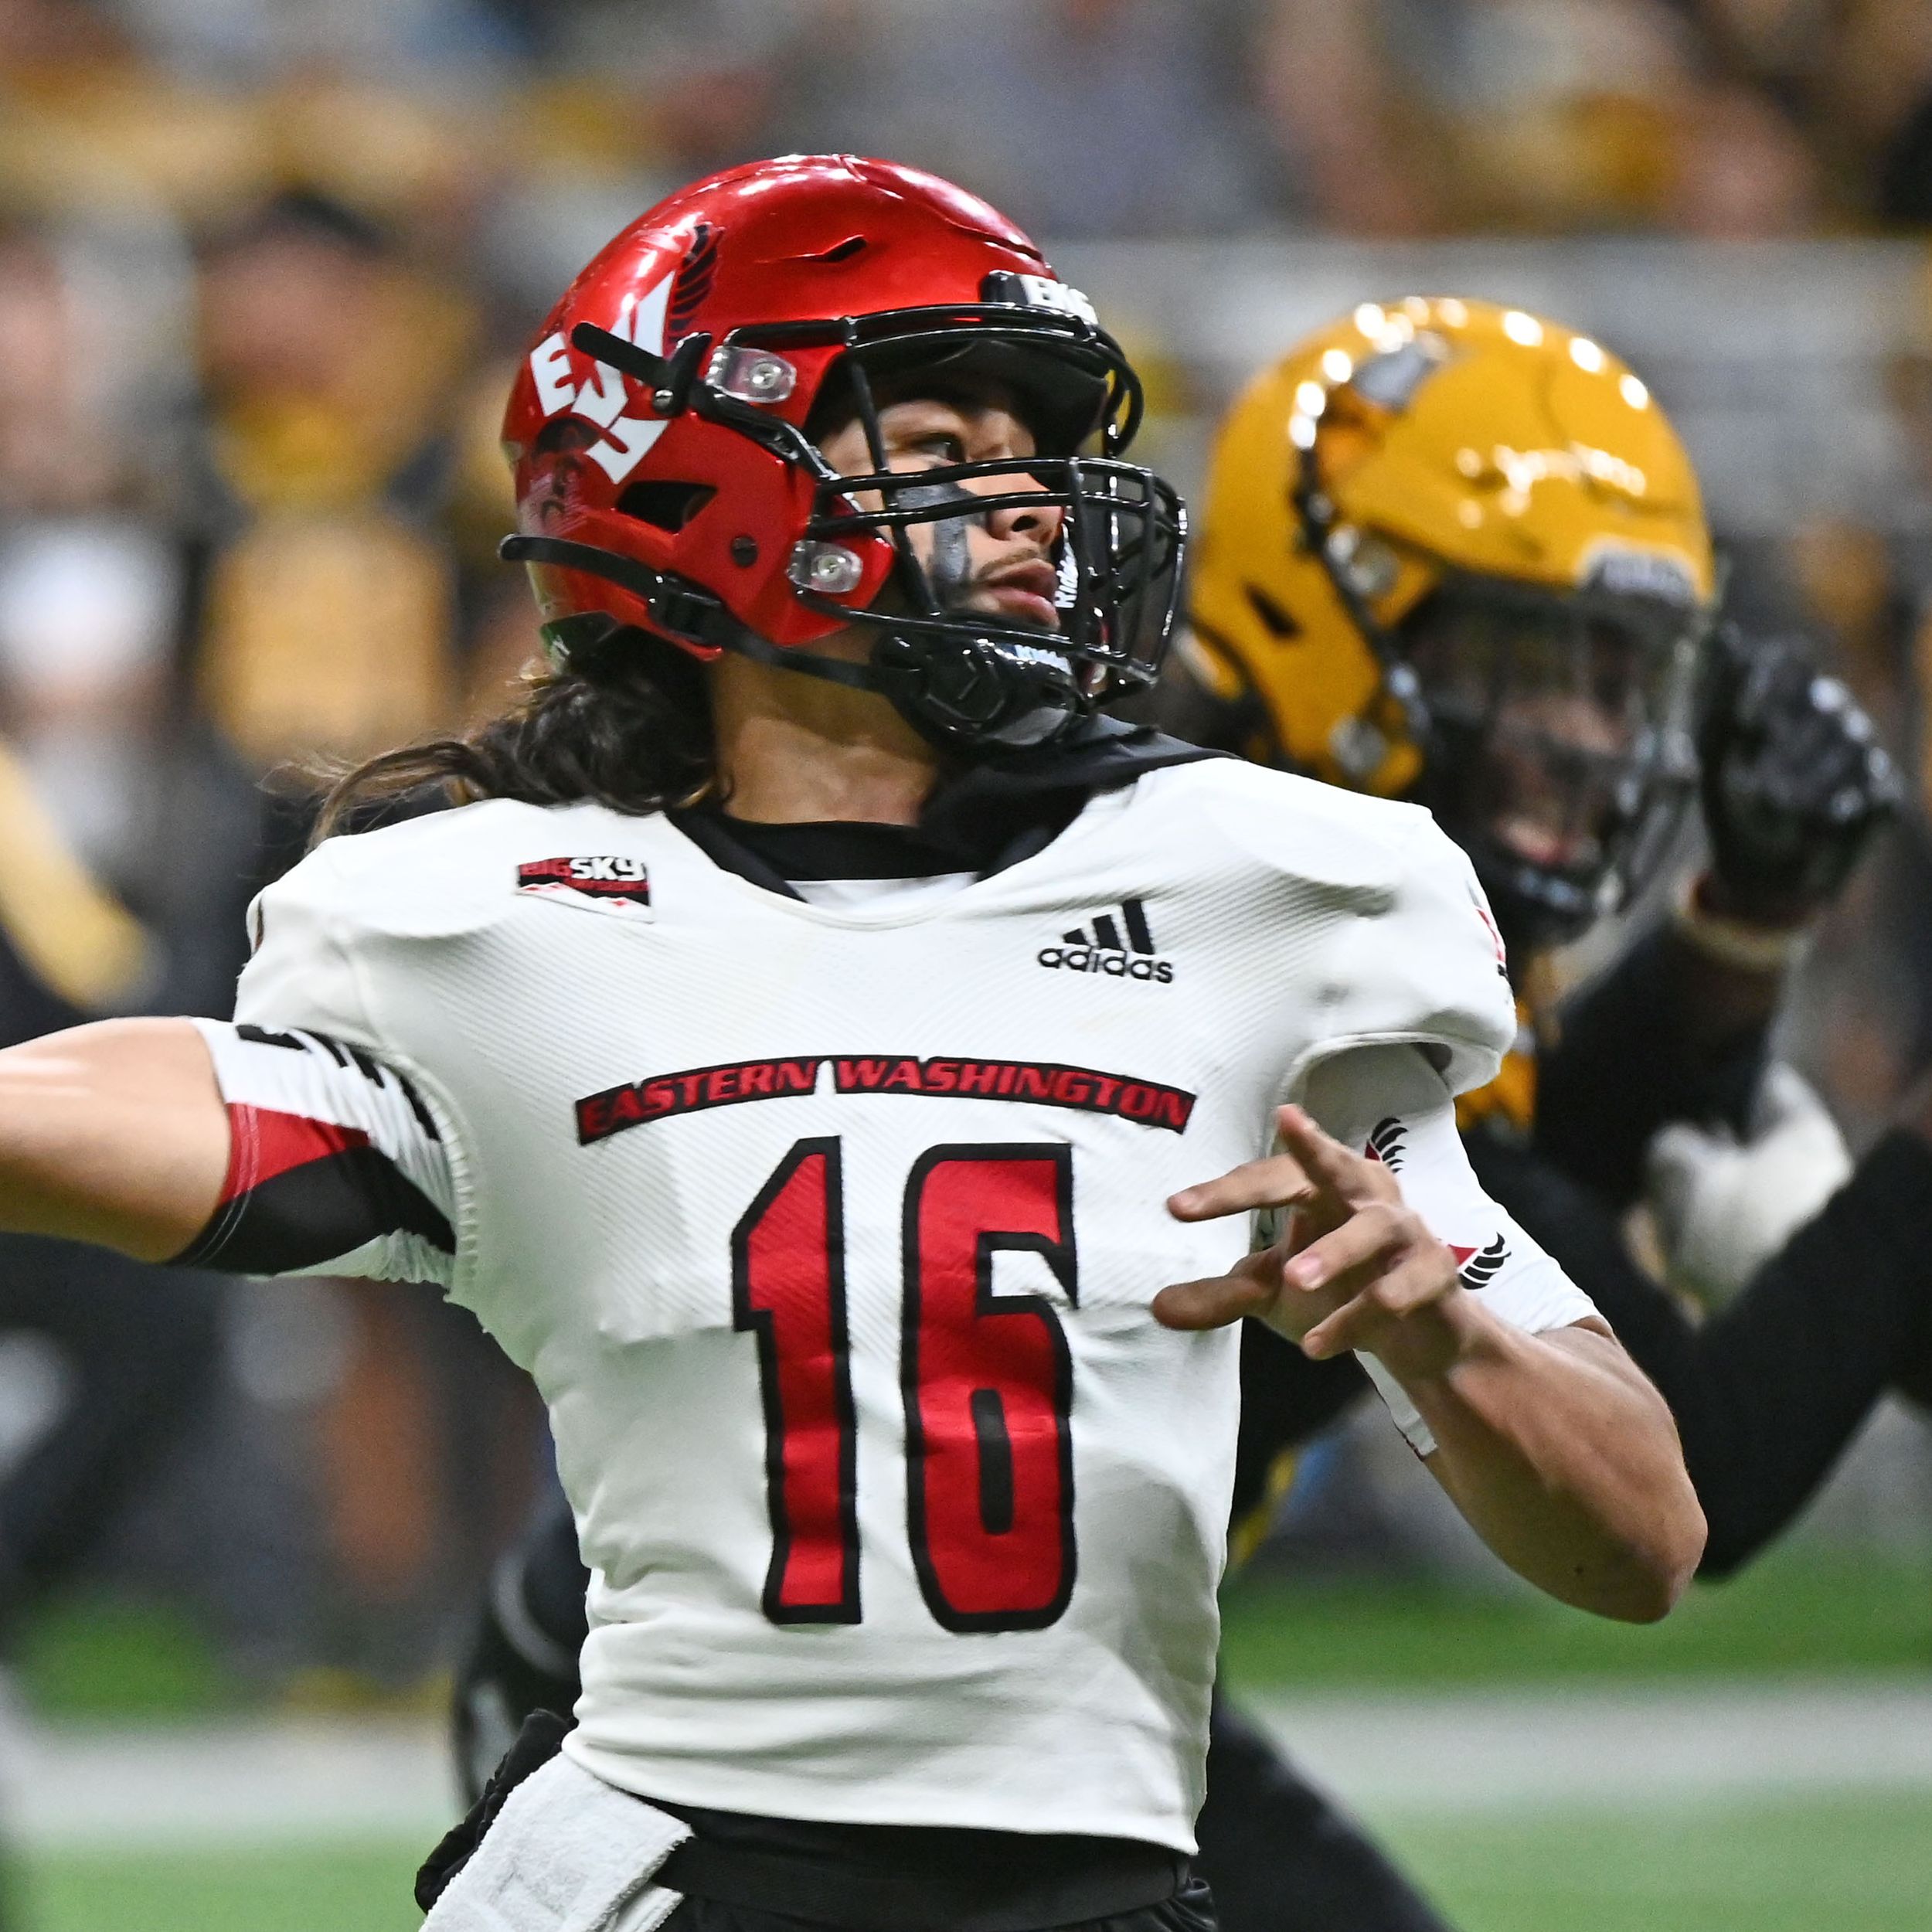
[1610, 1746]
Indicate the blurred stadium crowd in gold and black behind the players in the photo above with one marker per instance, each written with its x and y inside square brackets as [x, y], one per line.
[264, 270]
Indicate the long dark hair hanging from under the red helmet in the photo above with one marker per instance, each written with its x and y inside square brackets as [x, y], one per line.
[623, 722]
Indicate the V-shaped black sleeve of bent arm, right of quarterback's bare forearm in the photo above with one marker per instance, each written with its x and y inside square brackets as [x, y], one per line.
[1769, 1392]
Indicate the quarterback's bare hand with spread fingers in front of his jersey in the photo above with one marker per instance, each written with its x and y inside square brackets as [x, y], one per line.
[1353, 1268]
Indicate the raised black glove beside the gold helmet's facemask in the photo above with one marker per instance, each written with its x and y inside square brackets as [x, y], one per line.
[1792, 778]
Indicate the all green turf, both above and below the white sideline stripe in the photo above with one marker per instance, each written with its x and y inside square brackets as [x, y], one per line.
[1838, 1863]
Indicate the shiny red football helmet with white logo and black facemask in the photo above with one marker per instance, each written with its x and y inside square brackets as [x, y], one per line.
[666, 476]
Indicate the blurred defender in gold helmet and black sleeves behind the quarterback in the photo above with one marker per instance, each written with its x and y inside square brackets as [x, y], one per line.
[1456, 554]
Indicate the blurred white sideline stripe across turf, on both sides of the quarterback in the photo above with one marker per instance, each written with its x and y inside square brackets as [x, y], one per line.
[1431, 1753]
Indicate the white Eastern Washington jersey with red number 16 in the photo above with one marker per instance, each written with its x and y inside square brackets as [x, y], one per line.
[830, 1236]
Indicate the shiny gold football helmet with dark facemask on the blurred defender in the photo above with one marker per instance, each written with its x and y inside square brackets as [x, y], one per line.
[1456, 554]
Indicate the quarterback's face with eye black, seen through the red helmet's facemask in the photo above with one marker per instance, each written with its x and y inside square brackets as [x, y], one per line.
[992, 561]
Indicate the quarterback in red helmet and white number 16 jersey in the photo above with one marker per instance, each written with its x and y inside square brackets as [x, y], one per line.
[845, 1071]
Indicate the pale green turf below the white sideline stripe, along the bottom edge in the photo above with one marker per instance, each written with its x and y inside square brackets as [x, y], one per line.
[1842, 1865]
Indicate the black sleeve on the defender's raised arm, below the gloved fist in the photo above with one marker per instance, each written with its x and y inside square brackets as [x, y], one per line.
[1628, 1064]
